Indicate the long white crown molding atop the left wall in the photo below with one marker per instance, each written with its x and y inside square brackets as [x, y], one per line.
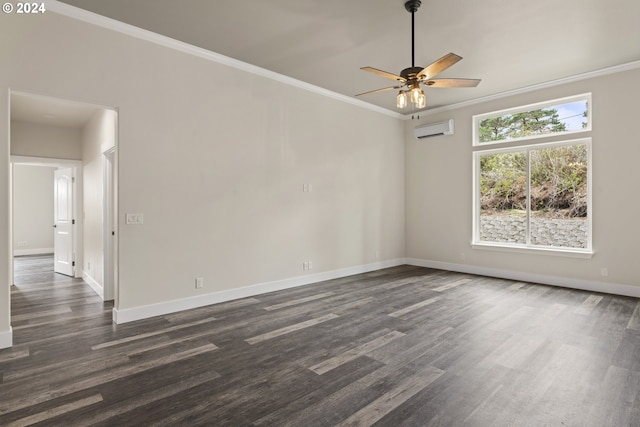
[149, 36]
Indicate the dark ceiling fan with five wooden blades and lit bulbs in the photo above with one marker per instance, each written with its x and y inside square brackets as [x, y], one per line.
[410, 78]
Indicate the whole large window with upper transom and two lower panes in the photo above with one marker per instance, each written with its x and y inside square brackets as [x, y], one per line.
[534, 194]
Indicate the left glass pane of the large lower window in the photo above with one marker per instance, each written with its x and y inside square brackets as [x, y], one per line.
[503, 197]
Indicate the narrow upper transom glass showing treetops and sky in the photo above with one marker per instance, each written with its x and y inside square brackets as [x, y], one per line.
[566, 117]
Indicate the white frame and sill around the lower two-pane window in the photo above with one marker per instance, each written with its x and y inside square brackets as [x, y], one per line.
[476, 243]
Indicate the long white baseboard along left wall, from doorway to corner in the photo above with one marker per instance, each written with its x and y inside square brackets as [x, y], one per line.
[152, 310]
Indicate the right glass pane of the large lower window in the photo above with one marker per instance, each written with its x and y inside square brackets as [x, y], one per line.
[559, 196]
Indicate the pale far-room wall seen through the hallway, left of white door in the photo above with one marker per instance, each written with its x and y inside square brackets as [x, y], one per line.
[32, 209]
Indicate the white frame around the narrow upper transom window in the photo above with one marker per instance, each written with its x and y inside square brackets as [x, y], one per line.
[539, 105]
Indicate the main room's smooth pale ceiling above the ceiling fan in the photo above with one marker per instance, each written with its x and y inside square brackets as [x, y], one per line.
[507, 44]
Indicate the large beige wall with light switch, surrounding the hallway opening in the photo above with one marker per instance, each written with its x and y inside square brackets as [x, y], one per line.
[215, 159]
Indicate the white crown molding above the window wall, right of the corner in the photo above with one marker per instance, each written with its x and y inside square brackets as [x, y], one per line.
[566, 80]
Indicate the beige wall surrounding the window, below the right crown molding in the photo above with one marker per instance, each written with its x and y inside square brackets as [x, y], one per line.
[439, 191]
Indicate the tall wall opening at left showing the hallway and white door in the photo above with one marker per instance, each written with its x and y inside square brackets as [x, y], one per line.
[49, 135]
